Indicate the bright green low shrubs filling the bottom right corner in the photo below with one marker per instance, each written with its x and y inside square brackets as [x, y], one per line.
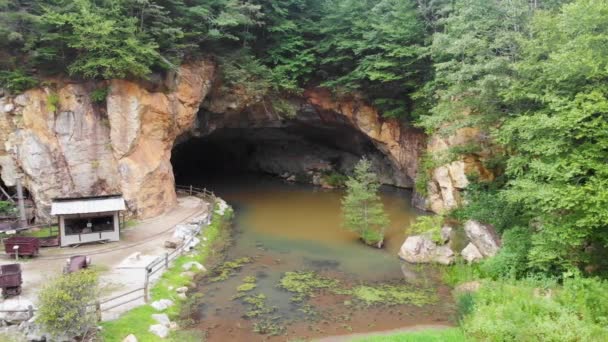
[531, 310]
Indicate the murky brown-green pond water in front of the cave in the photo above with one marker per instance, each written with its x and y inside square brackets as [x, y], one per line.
[286, 227]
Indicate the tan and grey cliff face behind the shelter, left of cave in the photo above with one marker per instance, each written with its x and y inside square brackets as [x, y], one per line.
[64, 144]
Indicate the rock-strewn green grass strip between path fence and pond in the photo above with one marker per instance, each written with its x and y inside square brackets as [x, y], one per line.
[138, 320]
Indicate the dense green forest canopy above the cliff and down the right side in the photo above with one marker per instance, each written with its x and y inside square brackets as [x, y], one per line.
[532, 74]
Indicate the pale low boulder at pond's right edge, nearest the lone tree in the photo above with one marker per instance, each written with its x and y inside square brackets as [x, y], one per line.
[421, 249]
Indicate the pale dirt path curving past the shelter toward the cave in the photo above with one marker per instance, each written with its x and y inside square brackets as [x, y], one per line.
[118, 275]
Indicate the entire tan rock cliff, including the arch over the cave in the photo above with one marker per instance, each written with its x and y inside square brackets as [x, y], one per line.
[63, 144]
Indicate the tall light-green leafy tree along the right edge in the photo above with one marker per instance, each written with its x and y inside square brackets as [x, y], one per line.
[557, 135]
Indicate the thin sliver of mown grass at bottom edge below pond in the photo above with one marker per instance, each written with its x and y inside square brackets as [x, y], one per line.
[440, 335]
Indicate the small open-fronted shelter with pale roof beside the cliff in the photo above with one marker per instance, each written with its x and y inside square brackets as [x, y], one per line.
[88, 219]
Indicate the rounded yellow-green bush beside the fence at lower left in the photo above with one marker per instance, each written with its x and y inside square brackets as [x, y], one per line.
[64, 304]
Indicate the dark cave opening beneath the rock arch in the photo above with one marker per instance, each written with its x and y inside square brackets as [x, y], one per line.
[299, 152]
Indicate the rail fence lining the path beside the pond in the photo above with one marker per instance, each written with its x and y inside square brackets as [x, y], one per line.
[158, 264]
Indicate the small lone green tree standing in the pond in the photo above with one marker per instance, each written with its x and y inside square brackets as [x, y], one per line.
[362, 210]
